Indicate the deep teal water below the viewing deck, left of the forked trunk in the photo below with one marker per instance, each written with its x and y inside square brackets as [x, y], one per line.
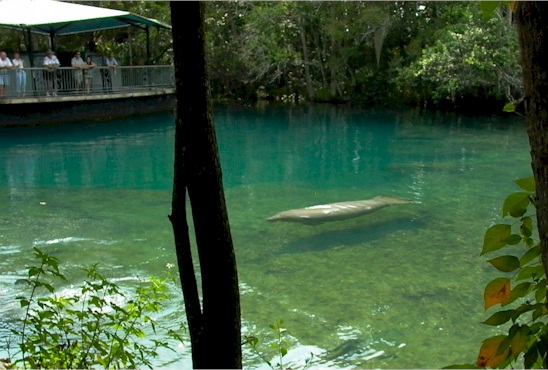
[127, 156]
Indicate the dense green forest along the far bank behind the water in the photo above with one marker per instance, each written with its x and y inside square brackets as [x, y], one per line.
[437, 55]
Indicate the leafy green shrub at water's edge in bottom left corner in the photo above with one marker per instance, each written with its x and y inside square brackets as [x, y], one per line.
[88, 328]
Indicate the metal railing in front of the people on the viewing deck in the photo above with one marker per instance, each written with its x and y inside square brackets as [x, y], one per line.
[68, 81]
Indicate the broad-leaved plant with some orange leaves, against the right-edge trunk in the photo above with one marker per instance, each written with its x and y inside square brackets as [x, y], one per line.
[522, 289]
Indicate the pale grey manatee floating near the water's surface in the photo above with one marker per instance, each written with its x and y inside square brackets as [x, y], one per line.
[315, 215]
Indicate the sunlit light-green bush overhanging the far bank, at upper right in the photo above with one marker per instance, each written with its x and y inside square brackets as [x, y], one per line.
[472, 57]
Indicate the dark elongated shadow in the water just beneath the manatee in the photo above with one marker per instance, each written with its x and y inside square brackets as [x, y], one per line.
[345, 236]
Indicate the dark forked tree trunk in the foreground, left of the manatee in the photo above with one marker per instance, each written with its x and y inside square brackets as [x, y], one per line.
[214, 324]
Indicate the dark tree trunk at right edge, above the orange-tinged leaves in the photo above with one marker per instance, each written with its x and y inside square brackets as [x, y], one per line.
[532, 21]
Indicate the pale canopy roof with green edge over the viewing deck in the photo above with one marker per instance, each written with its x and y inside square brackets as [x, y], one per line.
[58, 18]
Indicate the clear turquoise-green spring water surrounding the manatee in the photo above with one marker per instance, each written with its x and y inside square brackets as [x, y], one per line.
[400, 288]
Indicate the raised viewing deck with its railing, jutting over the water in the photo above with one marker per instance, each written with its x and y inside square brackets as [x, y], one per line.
[128, 91]
